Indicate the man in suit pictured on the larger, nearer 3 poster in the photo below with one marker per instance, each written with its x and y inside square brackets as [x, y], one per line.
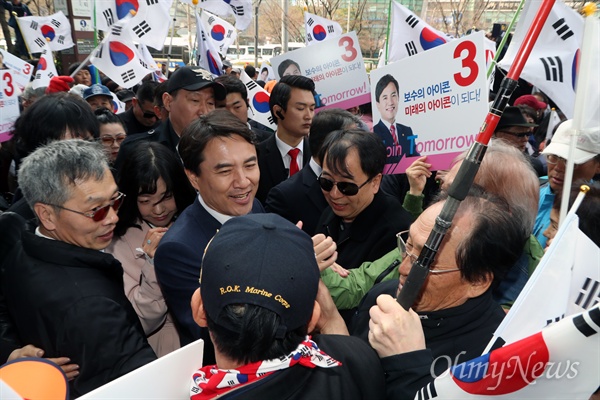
[398, 139]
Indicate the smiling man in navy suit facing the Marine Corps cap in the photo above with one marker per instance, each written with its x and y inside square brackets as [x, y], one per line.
[220, 161]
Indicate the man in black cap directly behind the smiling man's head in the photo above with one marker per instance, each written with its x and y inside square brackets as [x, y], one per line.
[191, 92]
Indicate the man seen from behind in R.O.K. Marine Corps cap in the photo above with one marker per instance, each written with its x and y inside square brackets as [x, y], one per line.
[258, 300]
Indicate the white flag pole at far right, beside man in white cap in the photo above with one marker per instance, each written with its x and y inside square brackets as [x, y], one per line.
[589, 46]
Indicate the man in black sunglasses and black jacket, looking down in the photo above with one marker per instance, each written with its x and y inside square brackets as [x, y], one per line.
[361, 219]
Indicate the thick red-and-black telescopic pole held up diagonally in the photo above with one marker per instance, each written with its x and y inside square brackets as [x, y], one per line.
[466, 174]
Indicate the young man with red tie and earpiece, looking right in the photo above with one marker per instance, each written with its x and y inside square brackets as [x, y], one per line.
[292, 105]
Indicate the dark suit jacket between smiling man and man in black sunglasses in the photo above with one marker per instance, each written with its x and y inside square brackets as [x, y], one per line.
[298, 198]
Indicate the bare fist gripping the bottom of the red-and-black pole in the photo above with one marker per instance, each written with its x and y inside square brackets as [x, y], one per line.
[393, 330]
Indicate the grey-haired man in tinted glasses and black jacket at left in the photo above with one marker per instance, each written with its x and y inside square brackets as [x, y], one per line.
[62, 292]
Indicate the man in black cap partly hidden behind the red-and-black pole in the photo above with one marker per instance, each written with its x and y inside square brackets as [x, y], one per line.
[514, 129]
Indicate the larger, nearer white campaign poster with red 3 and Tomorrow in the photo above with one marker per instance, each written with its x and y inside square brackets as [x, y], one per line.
[431, 104]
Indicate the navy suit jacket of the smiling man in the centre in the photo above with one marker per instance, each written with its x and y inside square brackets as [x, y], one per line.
[177, 264]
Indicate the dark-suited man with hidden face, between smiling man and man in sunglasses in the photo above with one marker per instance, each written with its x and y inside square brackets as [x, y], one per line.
[300, 198]
